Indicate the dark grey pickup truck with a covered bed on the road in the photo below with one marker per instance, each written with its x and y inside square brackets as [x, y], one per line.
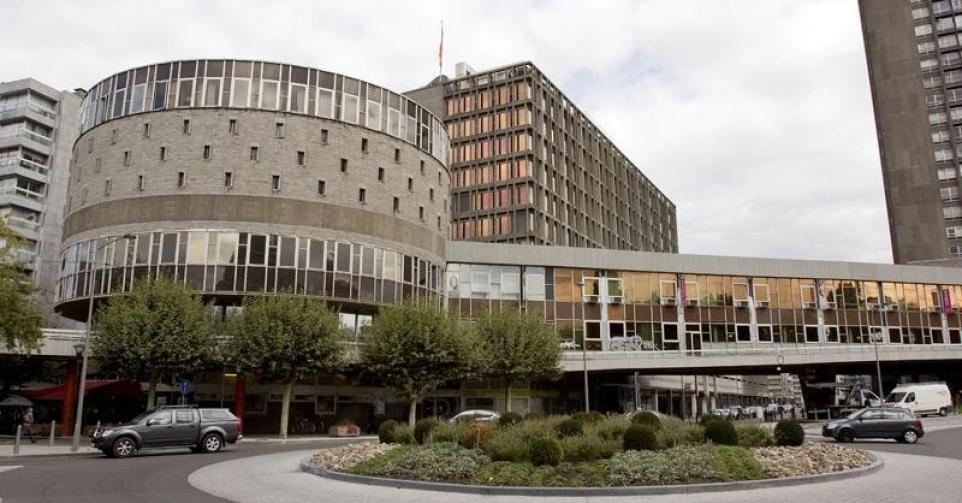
[203, 430]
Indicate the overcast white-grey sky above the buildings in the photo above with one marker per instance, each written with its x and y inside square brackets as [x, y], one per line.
[754, 118]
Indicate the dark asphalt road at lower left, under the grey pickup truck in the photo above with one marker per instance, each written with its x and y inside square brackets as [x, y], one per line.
[151, 476]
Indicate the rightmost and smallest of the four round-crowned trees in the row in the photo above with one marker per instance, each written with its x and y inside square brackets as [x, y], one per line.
[517, 347]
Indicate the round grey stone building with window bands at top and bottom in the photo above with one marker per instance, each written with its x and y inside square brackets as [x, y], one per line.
[245, 177]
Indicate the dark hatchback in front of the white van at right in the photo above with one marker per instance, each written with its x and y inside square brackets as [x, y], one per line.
[898, 424]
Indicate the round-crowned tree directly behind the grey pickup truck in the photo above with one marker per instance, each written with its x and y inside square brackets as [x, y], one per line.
[159, 329]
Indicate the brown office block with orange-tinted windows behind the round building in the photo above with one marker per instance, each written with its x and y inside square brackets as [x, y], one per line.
[527, 166]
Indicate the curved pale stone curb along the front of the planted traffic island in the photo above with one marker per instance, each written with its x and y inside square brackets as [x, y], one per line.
[592, 491]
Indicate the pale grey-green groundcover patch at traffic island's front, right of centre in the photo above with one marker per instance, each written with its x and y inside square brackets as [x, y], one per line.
[674, 466]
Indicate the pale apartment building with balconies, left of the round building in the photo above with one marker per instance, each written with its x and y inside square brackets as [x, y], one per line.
[38, 126]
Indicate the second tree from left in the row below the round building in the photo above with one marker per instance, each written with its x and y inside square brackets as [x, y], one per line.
[285, 338]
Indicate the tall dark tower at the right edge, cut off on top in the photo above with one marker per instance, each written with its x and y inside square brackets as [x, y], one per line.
[915, 69]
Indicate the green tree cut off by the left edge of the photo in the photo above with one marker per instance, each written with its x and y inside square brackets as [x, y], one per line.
[20, 318]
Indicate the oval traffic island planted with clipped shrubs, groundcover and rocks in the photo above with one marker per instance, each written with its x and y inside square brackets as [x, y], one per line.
[590, 454]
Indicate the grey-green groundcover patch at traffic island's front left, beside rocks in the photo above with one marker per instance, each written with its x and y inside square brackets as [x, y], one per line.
[440, 462]
